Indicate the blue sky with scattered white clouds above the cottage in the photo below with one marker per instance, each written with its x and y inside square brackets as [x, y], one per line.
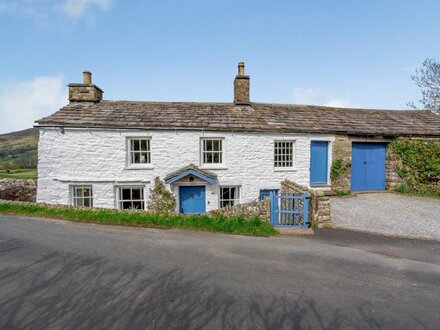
[352, 53]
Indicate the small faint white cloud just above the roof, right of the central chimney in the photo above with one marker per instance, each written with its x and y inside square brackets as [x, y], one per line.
[316, 96]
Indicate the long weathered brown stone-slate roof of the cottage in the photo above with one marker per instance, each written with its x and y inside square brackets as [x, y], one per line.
[256, 117]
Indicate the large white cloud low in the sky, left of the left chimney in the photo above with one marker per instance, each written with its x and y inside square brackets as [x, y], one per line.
[24, 102]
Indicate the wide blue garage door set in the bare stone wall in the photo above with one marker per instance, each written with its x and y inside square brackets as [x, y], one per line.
[368, 166]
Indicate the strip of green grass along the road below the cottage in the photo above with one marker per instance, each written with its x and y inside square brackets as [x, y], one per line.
[232, 225]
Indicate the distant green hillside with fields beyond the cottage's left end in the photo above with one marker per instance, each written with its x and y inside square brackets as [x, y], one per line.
[18, 150]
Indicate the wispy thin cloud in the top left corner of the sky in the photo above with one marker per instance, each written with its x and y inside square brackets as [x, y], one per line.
[40, 10]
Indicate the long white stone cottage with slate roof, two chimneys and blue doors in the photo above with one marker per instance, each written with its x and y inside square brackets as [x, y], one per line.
[102, 153]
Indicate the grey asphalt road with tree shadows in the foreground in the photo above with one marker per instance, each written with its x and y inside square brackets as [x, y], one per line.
[58, 274]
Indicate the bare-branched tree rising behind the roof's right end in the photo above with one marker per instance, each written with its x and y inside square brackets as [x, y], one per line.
[427, 77]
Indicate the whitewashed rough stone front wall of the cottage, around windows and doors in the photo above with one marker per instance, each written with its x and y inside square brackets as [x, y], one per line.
[99, 157]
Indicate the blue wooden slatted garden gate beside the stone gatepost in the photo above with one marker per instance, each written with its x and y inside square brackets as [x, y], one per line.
[288, 210]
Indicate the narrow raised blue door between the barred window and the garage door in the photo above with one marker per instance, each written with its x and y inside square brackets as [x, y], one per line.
[318, 162]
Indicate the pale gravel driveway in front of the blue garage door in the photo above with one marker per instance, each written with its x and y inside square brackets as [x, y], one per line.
[389, 214]
